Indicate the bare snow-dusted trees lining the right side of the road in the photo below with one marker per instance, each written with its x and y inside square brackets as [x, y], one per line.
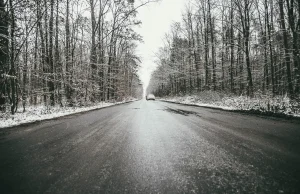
[242, 47]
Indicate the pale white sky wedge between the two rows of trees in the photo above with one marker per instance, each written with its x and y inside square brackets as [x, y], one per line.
[156, 22]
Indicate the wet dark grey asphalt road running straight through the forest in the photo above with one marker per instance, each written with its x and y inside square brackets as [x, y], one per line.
[152, 147]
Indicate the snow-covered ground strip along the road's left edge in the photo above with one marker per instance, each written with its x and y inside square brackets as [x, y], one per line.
[39, 113]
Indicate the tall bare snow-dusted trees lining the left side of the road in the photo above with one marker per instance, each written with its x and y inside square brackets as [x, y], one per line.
[67, 52]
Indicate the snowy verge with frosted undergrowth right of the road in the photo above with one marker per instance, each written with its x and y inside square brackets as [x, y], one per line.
[277, 105]
